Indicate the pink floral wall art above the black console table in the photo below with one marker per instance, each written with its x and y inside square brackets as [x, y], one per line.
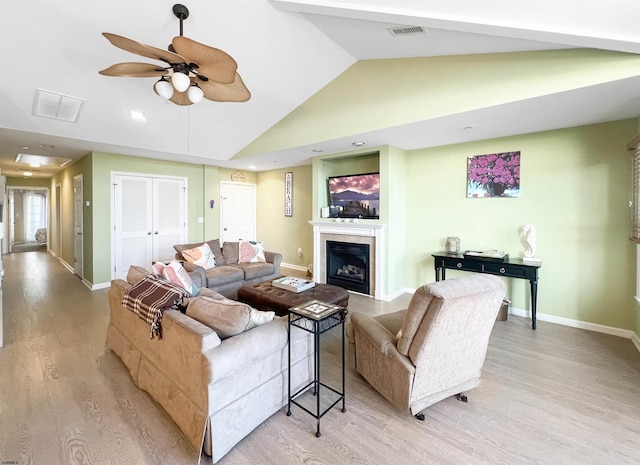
[494, 175]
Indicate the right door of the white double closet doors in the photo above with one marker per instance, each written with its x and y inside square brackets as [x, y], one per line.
[169, 222]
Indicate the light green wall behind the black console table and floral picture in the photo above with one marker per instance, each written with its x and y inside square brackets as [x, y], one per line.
[574, 190]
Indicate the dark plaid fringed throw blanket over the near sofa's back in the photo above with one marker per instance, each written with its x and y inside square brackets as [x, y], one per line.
[150, 297]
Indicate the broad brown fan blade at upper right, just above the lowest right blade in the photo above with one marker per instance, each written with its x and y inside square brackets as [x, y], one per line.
[213, 63]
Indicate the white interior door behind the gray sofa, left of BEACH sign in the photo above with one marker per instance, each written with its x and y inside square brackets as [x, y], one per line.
[238, 212]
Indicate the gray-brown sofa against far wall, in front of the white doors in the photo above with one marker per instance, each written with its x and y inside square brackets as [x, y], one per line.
[229, 275]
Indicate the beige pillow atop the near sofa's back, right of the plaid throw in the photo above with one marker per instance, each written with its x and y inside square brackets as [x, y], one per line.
[225, 316]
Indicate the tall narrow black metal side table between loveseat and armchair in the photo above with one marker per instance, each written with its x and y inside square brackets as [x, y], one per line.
[317, 318]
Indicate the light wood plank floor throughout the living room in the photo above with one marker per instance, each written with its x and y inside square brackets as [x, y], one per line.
[556, 395]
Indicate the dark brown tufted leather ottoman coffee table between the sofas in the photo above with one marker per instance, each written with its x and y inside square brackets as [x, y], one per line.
[264, 296]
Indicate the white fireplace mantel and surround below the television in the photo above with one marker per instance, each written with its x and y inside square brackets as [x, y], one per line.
[325, 229]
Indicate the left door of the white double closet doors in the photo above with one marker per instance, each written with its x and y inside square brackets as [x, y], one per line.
[133, 237]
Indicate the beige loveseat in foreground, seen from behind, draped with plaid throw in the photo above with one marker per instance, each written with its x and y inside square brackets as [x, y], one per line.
[217, 391]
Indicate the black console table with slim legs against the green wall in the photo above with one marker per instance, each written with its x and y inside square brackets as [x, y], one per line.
[510, 268]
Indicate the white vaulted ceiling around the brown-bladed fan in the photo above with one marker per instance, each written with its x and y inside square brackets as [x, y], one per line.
[286, 52]
